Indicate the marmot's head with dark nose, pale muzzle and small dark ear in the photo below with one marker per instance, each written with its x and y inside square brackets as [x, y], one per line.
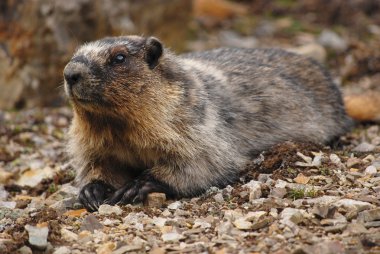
[114, 73]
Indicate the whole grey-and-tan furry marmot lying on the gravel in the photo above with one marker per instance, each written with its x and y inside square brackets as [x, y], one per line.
[146, 120]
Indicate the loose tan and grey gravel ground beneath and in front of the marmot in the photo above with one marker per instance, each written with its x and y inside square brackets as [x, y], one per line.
[294, 198]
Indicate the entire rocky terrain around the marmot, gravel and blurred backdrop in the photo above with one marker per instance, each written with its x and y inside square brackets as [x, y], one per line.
[294, 198]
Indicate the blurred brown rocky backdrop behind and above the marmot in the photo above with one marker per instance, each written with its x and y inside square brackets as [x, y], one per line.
[38, 37]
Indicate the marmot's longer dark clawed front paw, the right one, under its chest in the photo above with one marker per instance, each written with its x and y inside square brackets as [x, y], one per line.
[137, 191]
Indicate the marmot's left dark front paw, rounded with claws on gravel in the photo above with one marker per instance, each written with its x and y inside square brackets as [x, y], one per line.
[93, 194]
